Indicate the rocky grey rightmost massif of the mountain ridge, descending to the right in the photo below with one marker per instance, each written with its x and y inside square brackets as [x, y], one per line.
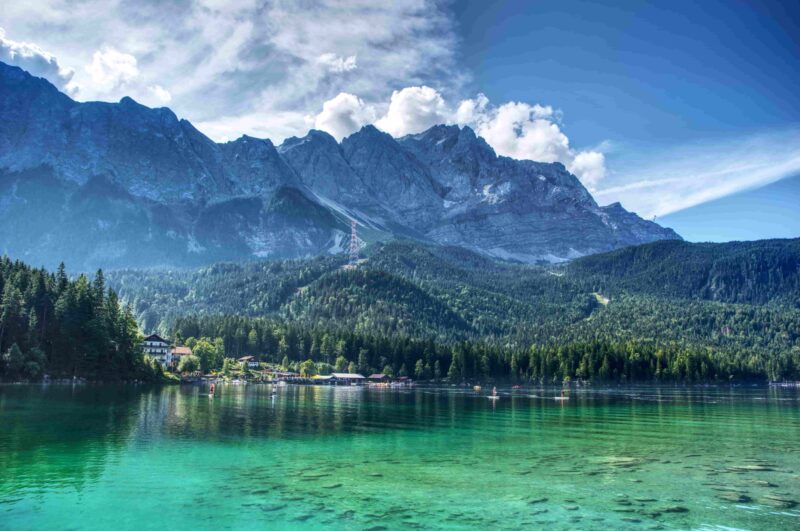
[516, 209]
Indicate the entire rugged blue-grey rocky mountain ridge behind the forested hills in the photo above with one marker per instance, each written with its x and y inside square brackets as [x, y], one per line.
[123, 185]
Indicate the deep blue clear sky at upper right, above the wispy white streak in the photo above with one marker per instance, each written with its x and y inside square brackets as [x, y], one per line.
[634, 70]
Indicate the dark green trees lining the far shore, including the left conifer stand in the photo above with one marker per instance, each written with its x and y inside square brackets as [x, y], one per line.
[64, 328]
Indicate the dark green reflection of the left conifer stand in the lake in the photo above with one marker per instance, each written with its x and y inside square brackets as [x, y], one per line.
[58, 435]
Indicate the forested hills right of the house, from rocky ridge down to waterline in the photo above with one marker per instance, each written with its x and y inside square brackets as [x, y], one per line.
[408, 303]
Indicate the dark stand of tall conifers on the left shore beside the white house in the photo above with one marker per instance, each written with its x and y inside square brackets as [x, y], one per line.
[51, 324]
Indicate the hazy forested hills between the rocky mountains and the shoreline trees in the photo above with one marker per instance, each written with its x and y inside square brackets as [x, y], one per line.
[450, 294]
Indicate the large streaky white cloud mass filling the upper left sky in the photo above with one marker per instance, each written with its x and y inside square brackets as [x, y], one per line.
[253, 63]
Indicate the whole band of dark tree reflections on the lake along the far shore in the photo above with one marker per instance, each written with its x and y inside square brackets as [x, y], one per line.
[53, 436]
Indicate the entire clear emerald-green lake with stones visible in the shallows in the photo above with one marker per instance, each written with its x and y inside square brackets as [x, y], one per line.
[127, 457]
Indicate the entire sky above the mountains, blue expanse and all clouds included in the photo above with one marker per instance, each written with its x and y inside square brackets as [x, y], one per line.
[663, 106]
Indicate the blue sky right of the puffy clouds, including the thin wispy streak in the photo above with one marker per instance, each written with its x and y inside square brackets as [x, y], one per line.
[680, 91]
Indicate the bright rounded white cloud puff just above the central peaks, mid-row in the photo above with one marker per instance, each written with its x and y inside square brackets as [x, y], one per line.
[412, 110]
